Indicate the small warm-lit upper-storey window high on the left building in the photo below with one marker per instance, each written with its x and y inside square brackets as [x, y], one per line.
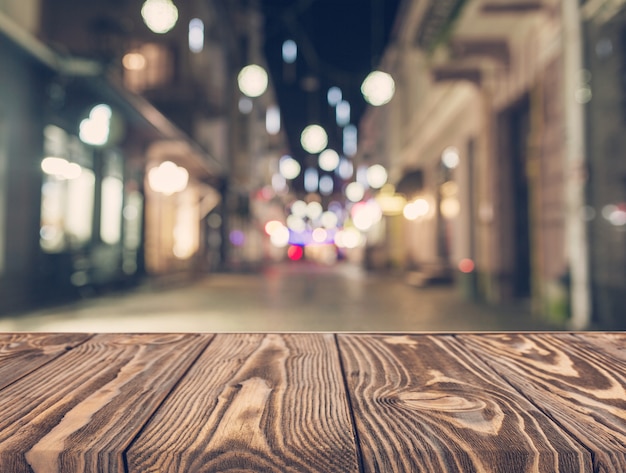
[150, 66]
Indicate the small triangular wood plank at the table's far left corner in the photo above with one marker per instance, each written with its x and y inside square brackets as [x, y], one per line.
[22, 353]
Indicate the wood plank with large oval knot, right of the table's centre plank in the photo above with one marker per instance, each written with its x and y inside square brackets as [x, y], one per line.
[426, 404]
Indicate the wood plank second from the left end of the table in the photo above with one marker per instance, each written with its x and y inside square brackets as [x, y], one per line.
[80, 411]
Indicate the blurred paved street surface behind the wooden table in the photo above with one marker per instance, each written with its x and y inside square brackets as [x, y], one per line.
[285, 297]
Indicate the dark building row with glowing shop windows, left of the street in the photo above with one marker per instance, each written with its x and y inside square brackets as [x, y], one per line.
[124, 153]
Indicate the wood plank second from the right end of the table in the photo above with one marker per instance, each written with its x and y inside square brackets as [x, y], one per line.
[583, 389]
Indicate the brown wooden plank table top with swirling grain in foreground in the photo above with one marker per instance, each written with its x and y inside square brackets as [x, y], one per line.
[322, 402]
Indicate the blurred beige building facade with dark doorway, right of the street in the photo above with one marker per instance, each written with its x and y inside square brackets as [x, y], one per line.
[489, 115]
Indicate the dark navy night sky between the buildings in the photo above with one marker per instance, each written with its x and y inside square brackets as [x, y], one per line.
[339, 43]
